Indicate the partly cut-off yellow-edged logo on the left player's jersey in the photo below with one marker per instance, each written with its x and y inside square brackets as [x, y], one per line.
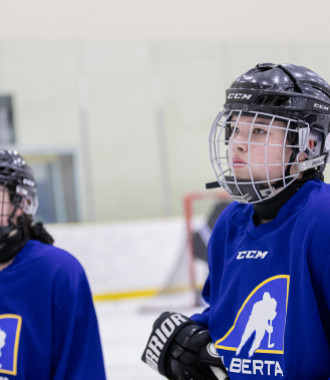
[10, 329]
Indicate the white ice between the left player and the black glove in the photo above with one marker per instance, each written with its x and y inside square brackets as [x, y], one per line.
[125, 327]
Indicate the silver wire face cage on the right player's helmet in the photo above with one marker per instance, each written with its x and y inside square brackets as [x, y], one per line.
[255, 154]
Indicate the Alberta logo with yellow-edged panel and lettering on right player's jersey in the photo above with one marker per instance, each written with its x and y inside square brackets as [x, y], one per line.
[258, 328]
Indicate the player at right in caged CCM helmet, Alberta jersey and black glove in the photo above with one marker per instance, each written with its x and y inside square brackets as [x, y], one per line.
[268, 289]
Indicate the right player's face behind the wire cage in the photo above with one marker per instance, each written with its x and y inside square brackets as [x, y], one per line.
[257, 148]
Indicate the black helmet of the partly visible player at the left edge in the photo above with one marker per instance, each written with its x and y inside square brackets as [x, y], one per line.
[17, 178]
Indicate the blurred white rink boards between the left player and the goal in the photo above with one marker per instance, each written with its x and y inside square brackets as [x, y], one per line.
[127, 256]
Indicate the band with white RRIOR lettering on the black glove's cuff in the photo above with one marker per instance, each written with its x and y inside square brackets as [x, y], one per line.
[160, 337]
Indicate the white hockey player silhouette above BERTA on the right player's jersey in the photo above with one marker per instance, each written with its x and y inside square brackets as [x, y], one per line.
[260, 321]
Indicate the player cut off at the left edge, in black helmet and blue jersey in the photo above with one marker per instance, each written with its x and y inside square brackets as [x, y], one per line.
[48, 325]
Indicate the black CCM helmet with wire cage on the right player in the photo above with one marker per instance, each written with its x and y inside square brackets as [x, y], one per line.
[289, 95]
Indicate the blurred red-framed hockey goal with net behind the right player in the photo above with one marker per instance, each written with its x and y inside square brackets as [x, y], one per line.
[190, 269]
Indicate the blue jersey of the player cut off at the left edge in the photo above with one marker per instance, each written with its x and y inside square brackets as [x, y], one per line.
[48, 325]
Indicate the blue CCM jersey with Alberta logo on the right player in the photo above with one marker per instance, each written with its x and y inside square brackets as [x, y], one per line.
[268, 289]
